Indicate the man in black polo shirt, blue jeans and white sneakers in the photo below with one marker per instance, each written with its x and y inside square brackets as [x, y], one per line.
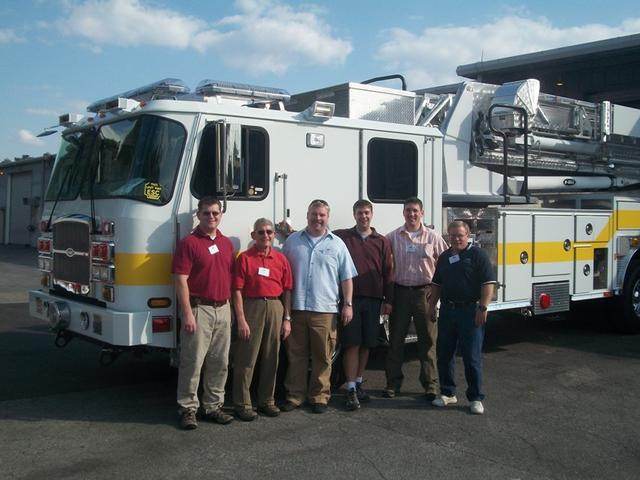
[464, 283]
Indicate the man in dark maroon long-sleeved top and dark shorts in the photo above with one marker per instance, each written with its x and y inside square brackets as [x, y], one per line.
[372, 295]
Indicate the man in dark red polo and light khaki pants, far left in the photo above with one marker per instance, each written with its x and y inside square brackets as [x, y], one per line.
[202, 267]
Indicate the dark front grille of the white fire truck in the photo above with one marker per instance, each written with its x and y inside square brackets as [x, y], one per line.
[71, 247]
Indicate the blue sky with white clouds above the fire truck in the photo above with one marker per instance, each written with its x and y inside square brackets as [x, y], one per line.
[57, 56]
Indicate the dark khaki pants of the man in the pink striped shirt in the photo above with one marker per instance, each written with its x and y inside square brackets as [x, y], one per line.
[407, 304]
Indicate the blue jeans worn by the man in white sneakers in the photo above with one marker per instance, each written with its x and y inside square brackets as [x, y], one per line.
[456, 327]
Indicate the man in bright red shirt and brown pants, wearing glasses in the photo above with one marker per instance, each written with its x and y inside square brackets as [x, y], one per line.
[261, 285]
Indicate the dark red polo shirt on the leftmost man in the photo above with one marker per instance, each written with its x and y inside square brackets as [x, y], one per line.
[208, 263]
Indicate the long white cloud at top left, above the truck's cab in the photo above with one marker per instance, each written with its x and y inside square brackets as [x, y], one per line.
[263, 36]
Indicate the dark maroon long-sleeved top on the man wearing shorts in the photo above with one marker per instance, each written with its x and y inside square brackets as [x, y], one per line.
[374, 263]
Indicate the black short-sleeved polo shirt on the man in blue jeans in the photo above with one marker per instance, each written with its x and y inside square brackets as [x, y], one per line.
[461, 278]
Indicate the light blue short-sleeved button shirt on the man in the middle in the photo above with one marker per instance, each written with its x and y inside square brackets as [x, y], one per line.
[318, 269]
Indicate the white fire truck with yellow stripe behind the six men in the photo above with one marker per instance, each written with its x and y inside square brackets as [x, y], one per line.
[127, 182]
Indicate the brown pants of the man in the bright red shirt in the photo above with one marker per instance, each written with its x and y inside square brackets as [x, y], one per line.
[265, 322]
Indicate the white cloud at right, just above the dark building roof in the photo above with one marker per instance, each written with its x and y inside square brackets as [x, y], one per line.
[430, 57]
